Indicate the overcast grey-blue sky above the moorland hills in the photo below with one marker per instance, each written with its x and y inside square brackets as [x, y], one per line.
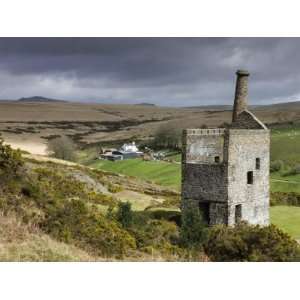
[164, 71]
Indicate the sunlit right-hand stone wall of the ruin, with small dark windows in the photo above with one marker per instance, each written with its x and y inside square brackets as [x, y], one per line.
[248, 151]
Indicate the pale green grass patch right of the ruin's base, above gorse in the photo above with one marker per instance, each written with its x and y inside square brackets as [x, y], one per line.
[287, 218]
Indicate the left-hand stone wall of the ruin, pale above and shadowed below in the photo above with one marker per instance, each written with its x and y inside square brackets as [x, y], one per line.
[204, 179]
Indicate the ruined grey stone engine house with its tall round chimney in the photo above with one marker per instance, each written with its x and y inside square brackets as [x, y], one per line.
[225, 171]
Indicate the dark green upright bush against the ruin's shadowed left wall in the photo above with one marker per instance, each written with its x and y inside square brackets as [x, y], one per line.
[193, 229]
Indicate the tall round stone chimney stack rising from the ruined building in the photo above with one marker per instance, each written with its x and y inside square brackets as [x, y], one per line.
[241, 93]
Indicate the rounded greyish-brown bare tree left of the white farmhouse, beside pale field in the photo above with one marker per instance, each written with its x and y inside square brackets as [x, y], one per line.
[62, 148]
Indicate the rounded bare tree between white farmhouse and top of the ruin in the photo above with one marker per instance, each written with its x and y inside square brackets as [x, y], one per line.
[168, 136]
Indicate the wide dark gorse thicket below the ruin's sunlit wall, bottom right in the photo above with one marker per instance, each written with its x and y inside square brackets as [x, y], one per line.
[250, 243]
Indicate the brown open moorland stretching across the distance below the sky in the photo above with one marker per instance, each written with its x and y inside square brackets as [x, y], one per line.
[33, 124]
